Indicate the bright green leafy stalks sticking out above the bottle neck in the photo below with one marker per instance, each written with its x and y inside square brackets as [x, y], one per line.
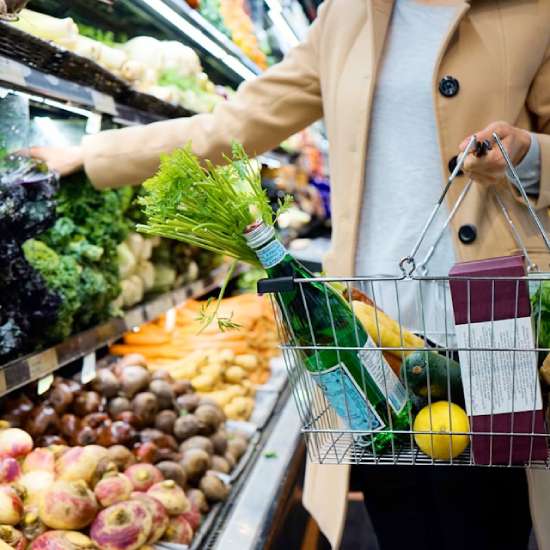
[206, 206]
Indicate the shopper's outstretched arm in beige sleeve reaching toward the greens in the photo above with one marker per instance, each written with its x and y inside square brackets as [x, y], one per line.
[264, 112]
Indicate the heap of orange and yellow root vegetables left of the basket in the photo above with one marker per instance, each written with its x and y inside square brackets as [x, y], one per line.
[223, 366]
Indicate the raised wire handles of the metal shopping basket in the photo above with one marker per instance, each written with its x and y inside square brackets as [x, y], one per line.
[408, 264]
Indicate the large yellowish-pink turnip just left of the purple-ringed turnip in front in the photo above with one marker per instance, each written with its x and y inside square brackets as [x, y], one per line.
[68, 505]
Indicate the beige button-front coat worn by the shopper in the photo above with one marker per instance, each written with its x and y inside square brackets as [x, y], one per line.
[498, 50]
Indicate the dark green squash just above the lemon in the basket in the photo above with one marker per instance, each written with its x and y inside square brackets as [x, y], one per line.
[443, 374]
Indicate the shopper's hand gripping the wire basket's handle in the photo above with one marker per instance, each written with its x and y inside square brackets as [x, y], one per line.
[491, 167]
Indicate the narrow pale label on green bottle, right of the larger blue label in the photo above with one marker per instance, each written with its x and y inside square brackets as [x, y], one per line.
[383, 376]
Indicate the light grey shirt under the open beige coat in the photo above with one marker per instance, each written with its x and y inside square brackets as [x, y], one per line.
[403, 171]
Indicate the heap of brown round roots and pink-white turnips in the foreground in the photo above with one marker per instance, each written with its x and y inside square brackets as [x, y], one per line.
[127, 460]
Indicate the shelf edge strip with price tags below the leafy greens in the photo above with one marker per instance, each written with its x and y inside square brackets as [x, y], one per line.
[30, 368]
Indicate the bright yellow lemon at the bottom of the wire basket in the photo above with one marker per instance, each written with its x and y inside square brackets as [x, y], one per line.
[443, 419]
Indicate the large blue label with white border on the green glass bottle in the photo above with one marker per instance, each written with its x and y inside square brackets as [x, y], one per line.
[347, 399]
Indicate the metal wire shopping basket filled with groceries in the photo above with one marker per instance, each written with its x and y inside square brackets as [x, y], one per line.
[390, 383]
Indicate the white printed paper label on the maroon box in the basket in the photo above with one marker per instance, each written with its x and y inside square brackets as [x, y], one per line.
[499, 381]
